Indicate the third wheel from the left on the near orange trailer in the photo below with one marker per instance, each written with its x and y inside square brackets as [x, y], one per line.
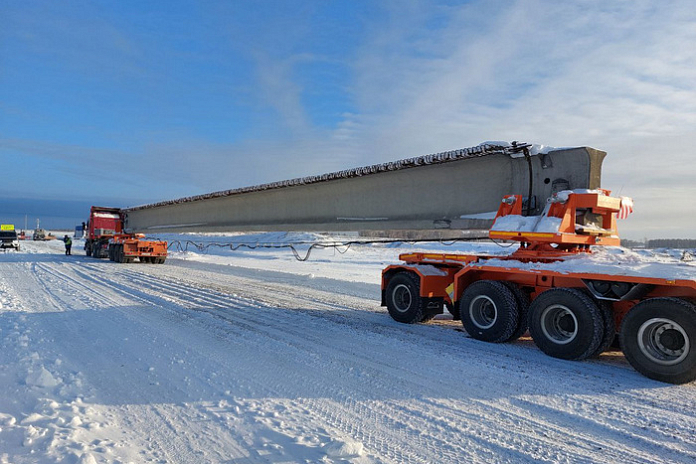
[566, 323]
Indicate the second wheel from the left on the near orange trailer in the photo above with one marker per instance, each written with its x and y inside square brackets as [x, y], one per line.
[489, 311]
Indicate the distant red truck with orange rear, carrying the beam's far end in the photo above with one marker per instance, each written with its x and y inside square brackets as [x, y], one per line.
[106, 238]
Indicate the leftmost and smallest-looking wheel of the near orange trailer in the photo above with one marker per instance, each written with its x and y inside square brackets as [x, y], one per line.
[403, 298]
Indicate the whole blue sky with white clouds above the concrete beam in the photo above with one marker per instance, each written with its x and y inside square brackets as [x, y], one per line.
[128, 102]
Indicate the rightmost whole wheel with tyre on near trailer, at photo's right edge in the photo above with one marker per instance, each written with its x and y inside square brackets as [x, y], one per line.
[658, 336]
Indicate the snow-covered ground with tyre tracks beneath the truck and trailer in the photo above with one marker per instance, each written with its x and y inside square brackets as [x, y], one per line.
[250, 356]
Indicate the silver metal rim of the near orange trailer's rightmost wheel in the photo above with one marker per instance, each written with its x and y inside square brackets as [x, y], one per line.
[663, 341]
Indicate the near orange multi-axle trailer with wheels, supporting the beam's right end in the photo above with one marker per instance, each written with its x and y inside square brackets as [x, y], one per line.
[569, 315]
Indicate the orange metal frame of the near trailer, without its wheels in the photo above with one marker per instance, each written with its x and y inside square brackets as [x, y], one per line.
[462, 270]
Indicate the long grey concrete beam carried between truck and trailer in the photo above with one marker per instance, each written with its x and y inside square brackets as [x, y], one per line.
[440, 191]
